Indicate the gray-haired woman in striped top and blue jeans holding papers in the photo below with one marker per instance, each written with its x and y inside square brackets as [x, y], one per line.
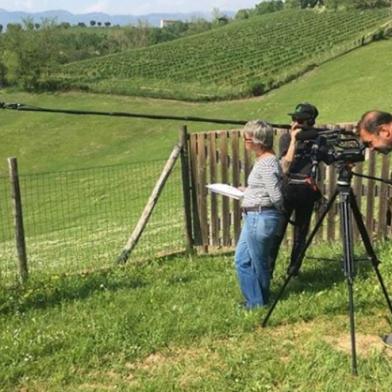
[261, 211]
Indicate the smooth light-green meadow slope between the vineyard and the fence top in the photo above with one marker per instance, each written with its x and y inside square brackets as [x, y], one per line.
[342, 89]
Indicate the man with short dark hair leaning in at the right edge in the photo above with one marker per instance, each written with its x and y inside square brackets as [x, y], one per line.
[375, 130]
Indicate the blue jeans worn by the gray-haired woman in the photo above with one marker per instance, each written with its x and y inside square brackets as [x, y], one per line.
[252, 256]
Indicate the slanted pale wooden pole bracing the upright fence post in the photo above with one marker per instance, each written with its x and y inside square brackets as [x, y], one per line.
[152, 201]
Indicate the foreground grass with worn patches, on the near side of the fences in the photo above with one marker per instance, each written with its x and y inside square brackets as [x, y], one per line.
[174, 324]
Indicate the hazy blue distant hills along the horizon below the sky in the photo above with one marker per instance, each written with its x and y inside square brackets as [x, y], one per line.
[122, 20]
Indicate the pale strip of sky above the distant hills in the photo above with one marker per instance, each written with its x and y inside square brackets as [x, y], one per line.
[125, 7]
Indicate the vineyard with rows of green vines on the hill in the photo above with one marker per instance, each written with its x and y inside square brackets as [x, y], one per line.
[244, 58]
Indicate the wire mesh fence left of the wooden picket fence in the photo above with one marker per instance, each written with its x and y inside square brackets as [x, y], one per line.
[80, 220]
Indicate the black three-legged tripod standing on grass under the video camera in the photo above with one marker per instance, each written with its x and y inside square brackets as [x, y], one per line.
[346, 201]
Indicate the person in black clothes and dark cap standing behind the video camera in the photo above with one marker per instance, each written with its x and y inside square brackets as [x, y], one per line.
[300, 190]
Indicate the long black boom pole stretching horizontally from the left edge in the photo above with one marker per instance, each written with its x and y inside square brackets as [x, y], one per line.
[30, 108]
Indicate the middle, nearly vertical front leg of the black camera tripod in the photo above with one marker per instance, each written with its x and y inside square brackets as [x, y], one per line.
[346, 225]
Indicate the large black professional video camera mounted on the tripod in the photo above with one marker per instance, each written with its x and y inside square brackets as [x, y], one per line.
[337, 145]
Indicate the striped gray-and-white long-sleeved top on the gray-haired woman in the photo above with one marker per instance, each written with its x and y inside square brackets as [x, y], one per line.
[264, 184]
